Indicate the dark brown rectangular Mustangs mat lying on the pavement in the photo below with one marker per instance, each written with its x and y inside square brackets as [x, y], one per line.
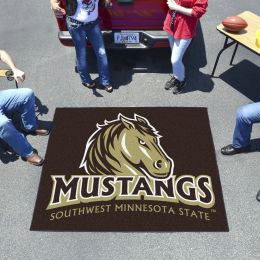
[130, 169]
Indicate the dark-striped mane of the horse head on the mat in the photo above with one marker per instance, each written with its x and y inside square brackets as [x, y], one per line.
[97, 158]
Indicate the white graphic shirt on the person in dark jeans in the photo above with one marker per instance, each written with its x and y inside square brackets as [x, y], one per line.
[87, 11]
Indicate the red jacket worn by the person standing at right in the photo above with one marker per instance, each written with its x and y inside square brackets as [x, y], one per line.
[185, 26]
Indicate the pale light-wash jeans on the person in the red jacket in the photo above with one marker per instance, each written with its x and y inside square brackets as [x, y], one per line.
[179, 47]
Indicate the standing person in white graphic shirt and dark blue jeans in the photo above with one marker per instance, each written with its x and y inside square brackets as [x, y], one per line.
[83, 24]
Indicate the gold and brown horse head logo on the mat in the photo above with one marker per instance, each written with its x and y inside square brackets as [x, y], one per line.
[126, 147]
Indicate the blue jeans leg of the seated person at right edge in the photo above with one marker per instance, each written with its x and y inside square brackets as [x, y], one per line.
[246, 116]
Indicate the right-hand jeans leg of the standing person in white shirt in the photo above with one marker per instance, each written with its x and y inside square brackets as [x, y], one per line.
[96, 39]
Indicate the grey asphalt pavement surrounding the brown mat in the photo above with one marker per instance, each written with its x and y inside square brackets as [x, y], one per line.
[28, 31]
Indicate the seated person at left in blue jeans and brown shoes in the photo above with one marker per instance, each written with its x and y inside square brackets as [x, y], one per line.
[19, 103]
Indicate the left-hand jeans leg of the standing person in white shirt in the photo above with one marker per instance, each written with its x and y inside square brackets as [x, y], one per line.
[79, 34]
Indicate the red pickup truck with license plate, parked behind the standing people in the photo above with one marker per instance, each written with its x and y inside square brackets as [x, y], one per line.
[133, 24]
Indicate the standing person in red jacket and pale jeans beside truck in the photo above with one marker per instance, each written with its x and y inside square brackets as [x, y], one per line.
[180, 24]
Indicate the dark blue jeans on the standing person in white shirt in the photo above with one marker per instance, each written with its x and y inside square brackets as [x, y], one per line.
[80, 33]
